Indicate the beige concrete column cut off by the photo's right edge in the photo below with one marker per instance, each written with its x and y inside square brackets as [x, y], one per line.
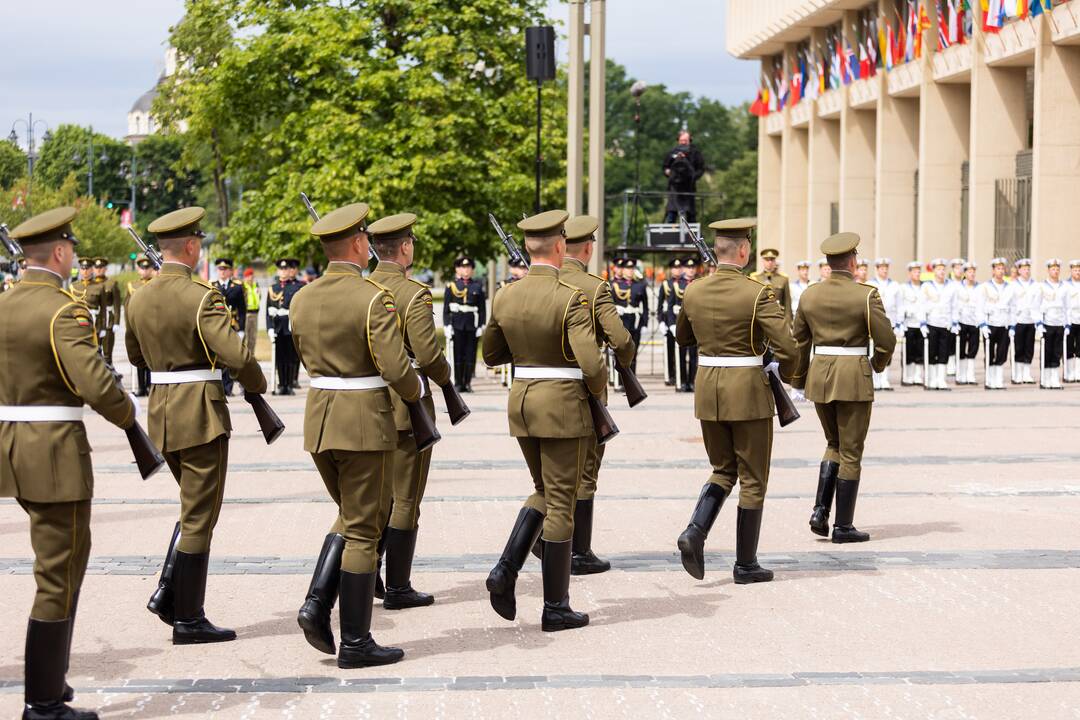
[1057, 151]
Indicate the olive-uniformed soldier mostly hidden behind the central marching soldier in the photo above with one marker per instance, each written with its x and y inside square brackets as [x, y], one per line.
[580, 239]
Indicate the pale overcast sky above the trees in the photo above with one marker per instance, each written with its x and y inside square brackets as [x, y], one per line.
[88, 61]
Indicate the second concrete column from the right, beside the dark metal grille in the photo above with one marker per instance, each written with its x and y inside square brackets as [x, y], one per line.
[998, 105]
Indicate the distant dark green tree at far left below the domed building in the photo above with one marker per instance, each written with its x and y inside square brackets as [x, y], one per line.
[69, 152]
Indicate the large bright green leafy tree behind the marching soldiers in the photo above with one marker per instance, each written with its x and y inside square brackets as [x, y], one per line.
[416, 105]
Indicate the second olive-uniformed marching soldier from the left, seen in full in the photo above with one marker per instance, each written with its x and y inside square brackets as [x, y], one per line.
[180, 328]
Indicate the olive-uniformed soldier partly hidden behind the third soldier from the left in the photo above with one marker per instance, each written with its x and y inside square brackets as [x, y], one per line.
[396, 243]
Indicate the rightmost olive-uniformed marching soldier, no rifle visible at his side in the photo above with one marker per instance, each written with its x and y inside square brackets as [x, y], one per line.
[840, 320]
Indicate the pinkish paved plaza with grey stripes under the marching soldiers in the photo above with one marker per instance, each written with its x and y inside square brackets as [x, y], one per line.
[964, 606]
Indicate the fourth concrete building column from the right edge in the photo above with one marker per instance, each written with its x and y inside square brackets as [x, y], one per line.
[897, 157]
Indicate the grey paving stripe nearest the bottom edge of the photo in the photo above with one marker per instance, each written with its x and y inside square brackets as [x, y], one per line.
[488, 683]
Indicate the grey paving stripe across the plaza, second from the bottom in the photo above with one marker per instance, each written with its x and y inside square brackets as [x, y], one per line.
[655, 562]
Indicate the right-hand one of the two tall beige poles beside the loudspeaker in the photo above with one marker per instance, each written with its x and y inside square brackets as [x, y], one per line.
[598, 100]
